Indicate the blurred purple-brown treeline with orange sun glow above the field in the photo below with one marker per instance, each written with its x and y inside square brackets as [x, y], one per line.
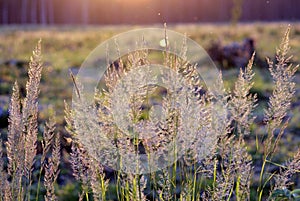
[145, 11]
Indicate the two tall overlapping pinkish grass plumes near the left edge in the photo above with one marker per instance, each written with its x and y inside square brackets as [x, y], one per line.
[22, 132]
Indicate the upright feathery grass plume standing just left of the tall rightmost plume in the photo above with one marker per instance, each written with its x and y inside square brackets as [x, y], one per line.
[242, 104]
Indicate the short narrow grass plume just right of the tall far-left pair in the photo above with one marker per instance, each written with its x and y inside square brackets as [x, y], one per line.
[52, 170]
